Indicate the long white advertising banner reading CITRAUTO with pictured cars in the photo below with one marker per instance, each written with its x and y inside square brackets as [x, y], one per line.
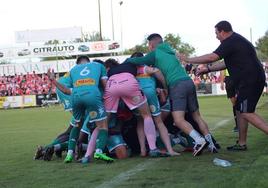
[67, 49]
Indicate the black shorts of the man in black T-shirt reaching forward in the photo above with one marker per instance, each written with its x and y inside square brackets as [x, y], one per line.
[248, 97]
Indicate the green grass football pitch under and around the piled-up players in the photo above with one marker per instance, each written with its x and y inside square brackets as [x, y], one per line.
[21, 130]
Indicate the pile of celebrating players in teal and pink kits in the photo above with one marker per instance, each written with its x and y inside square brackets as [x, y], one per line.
[143, 106]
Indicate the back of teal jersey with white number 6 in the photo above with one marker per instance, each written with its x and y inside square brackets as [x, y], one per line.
[87, 76]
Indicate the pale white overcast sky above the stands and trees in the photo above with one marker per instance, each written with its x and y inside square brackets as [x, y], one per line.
[193, 20]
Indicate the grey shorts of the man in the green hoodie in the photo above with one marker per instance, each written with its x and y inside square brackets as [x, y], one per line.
[183, 96]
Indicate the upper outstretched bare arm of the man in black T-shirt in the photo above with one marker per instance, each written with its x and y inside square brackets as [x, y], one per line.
[204, 59]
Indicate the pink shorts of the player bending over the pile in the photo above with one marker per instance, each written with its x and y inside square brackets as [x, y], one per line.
[126, 87]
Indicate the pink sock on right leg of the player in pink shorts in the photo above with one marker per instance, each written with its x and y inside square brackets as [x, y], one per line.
[149, 130]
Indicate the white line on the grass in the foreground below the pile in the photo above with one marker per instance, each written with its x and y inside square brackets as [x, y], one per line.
[117, 180]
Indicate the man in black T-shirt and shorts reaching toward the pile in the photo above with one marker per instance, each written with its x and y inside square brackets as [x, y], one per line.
[246, 72]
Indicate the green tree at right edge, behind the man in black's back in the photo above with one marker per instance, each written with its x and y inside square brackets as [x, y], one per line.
[262, 47]
